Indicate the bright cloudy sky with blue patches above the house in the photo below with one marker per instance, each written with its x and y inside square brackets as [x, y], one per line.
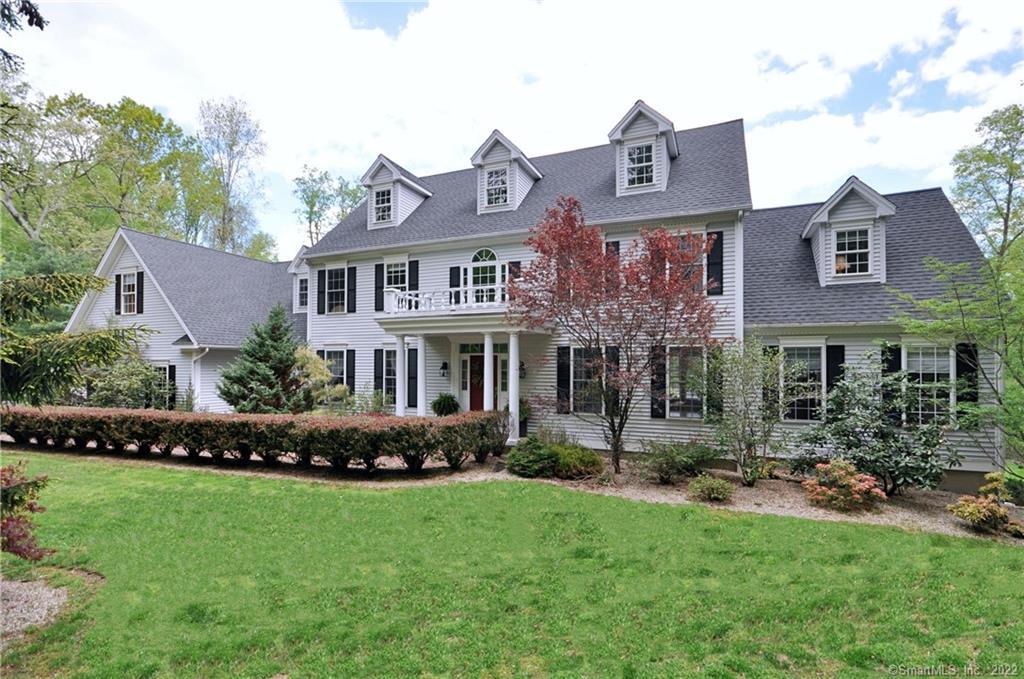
[885, 91]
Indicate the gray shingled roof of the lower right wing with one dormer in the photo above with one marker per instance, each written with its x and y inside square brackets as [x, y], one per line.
[782, 285]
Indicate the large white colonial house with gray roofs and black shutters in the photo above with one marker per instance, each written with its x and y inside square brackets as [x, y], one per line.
[407, 294]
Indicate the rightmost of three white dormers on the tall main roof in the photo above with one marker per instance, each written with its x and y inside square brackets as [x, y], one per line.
[646, 144]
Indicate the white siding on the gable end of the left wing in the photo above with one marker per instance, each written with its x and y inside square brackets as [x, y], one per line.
[157, 316]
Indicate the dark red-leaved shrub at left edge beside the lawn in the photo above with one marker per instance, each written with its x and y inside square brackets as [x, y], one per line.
[19, 500]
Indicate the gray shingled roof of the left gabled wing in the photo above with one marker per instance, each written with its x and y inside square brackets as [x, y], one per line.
[219, 295]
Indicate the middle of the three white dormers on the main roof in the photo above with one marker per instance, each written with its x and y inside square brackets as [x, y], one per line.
[504, 175]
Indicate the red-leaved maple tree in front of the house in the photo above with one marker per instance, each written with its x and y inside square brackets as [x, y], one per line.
[632, 303]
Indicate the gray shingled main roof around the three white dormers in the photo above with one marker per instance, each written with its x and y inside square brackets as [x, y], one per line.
[710, 176]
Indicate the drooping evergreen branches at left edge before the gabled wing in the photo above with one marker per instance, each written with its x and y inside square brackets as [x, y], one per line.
[42, 367]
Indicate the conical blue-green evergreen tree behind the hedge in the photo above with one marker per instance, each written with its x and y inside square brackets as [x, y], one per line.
[264, 378]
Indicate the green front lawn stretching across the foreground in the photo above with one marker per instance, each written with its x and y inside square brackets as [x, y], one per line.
[211, 575]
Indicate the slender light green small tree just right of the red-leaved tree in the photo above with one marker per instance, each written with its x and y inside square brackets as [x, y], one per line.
[748, 428]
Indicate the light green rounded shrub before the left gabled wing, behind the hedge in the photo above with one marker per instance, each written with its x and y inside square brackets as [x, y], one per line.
[131, 383]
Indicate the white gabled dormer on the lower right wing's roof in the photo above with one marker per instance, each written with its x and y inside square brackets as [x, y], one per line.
[848, 235]
